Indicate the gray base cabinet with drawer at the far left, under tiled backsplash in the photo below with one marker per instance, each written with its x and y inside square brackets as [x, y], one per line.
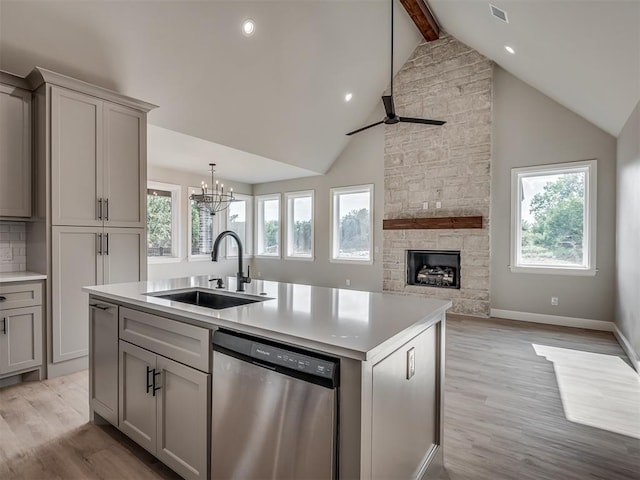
[20, 327]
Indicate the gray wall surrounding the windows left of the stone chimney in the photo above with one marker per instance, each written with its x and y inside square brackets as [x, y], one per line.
[360, 163]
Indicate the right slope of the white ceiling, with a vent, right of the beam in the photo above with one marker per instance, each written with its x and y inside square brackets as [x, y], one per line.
[584, 54]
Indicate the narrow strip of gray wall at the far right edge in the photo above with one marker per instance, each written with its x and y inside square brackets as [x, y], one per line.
[627, 312]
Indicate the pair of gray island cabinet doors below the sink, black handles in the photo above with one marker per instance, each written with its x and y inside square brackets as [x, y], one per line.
[164, 407]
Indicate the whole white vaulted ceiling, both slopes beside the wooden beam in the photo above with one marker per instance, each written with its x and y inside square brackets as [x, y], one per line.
[279, 94]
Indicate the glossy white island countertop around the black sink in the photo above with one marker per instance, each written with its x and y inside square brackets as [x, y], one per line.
[351, 323]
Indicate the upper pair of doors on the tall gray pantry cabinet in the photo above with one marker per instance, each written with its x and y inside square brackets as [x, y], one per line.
[98, 151]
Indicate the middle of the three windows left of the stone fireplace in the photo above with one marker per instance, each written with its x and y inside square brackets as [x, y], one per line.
[299, 208]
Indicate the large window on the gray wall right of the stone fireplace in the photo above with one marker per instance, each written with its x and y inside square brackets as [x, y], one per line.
[554, 218]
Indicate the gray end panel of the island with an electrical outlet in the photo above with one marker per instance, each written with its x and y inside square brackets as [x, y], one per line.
[405, 408]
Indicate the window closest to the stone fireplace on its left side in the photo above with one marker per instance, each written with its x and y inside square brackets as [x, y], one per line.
[351, 235]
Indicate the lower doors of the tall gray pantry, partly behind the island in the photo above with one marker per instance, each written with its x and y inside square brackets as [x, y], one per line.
[88, 256]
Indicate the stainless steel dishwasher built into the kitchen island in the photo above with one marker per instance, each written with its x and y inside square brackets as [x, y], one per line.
[274, 411]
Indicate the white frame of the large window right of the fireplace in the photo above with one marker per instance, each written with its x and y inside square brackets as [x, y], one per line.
[589, 167]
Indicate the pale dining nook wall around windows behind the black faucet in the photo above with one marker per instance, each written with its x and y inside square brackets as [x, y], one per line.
[184, 267]
